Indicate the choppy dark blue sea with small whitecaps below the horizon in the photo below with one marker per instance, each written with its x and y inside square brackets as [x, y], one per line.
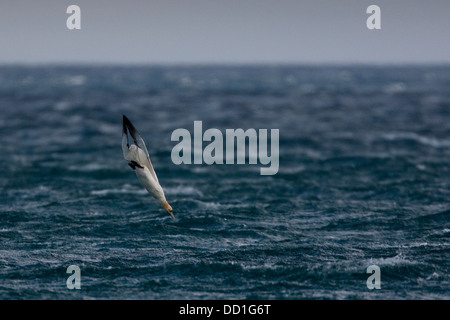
[364, 180]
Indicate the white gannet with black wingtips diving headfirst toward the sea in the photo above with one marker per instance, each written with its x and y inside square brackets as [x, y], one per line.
[139, 160]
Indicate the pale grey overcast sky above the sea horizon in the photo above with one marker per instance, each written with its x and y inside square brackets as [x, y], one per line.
[225, 31]
